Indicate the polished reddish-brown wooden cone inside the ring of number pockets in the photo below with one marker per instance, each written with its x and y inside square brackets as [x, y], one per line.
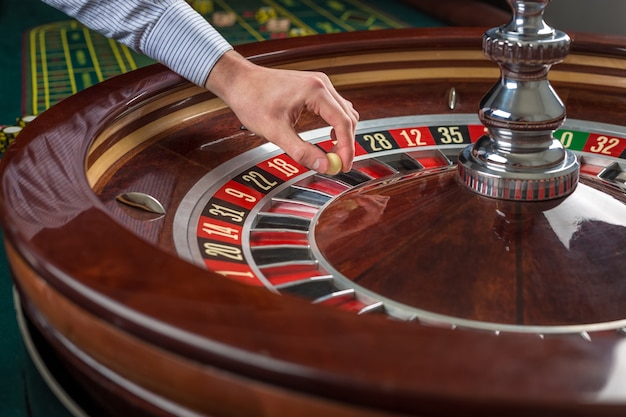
[441, 248]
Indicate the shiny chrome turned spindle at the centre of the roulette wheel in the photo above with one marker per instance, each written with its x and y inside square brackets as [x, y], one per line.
[519, 159]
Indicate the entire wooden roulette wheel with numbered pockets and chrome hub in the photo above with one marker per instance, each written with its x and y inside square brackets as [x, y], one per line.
[470, 262]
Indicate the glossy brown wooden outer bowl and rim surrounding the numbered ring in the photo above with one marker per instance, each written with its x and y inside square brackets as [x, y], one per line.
[103, 283]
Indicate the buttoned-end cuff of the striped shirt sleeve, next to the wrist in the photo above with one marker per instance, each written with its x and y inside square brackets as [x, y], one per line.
[185, 42]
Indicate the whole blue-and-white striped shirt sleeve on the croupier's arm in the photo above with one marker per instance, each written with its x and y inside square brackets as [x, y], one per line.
[168, 31]
